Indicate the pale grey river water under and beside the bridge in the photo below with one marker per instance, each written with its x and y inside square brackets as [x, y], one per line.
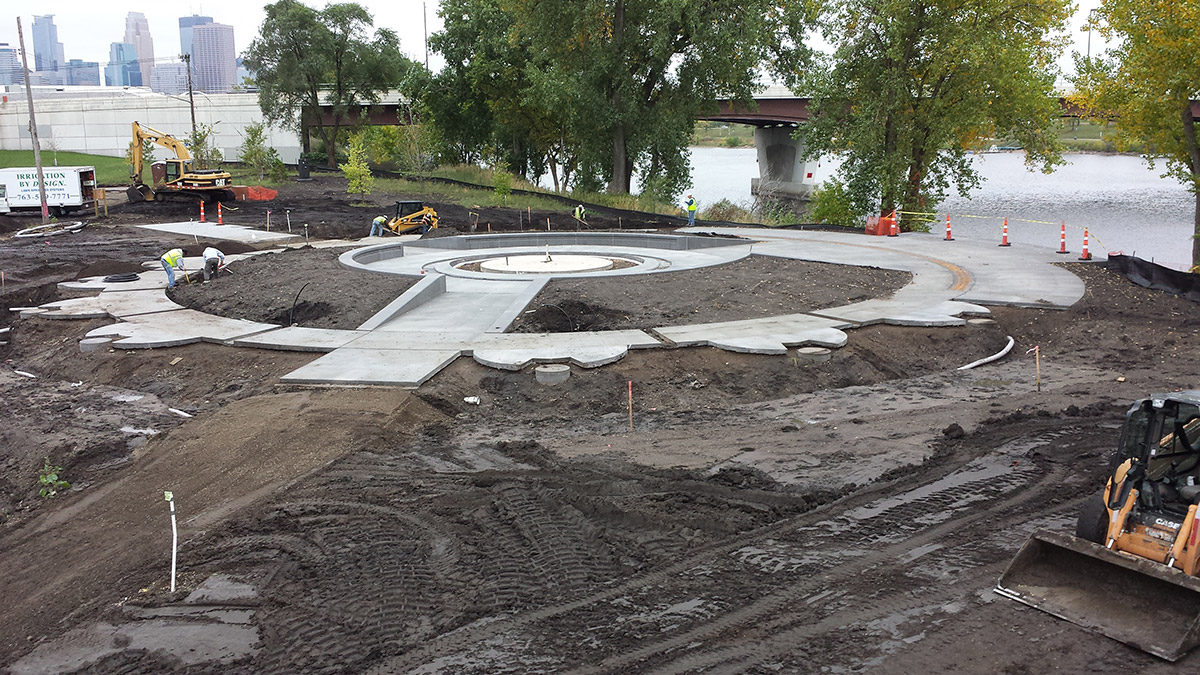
[1126, 206]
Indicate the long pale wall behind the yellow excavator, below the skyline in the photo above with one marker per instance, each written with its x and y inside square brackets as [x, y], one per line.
[97, 121]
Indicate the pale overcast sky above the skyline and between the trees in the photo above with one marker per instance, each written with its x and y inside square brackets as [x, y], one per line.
[87, 27]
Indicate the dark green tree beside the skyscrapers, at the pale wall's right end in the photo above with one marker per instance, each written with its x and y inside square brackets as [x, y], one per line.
[305, 59]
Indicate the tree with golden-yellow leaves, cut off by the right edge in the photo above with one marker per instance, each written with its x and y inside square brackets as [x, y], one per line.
[1147, 83]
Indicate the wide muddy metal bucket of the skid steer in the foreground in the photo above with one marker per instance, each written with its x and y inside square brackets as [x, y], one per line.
[1139, 602]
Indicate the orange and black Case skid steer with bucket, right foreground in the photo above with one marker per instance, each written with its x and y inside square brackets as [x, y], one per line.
[1131, 570]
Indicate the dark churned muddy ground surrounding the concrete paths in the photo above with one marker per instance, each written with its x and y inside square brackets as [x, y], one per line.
[765, 516]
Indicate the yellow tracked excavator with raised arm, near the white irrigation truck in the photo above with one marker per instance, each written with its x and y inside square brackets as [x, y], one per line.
[175, 178]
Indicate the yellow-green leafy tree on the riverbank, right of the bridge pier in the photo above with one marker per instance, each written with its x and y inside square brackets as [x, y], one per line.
[913, 85]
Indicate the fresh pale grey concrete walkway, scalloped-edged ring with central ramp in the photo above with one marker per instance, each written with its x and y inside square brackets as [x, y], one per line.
[452, 314]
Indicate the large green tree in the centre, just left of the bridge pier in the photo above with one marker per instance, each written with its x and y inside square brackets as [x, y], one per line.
[625, 80]
